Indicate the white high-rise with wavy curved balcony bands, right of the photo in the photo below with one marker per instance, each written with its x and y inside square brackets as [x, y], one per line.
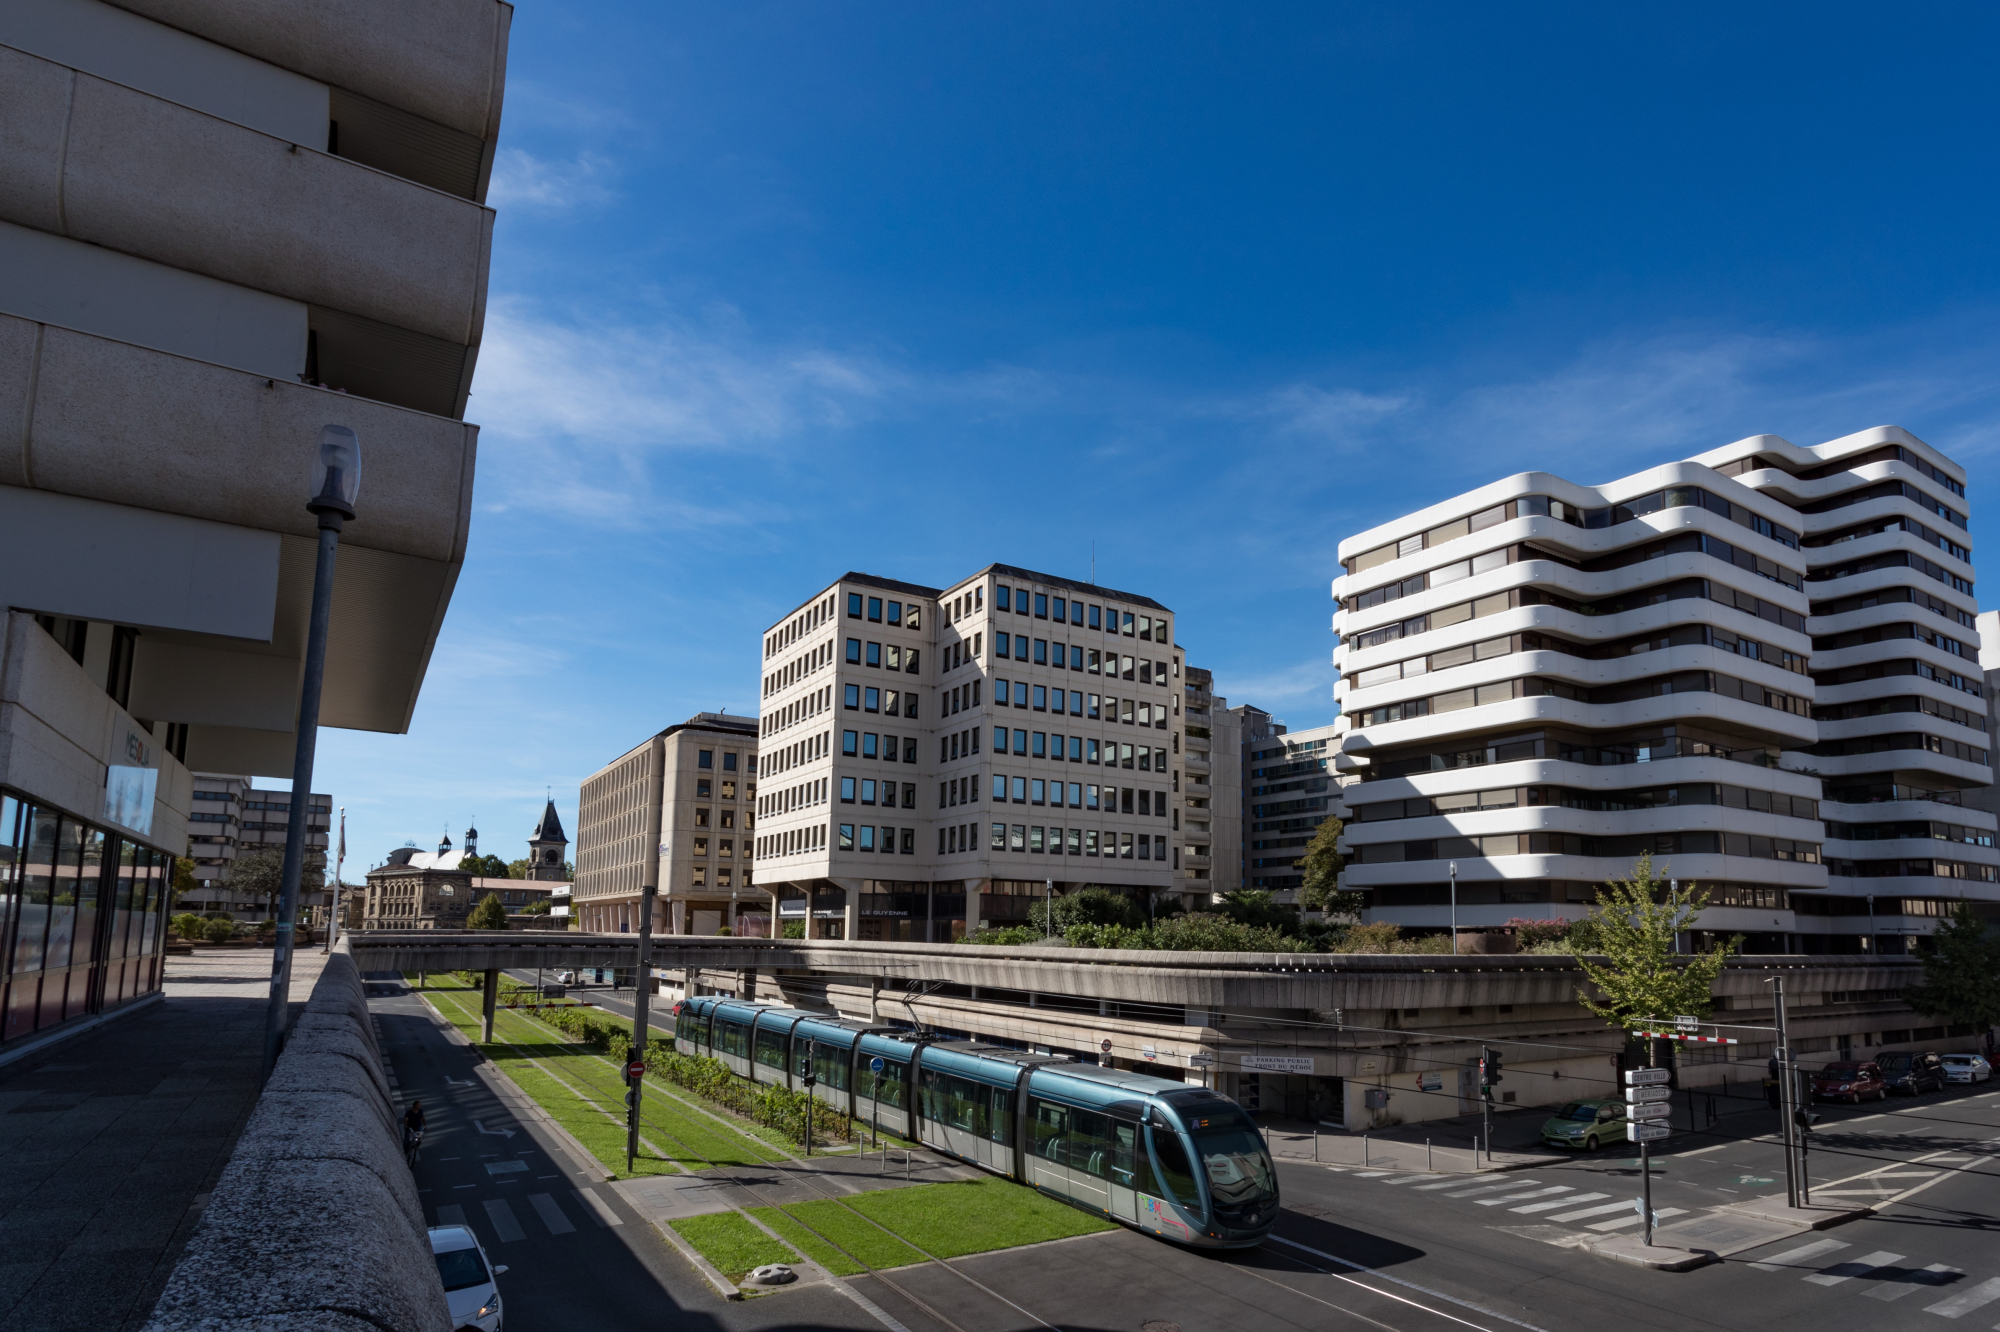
[1757, 665]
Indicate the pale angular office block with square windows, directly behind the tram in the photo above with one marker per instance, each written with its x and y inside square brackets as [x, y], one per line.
[935, 759]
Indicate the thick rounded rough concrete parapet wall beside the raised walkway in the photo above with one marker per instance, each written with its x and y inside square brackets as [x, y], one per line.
[317, 1221]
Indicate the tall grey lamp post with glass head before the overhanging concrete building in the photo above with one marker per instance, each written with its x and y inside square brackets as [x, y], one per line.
[337, 481]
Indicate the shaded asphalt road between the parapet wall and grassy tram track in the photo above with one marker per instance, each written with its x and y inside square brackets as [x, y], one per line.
[577, 1257]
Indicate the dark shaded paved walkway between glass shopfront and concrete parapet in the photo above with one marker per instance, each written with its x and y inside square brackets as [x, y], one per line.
[113, 1141]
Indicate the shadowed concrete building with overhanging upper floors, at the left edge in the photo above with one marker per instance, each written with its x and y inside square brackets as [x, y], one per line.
[223, 229]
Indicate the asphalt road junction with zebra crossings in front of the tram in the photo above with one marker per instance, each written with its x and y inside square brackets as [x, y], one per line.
[1429, 1253]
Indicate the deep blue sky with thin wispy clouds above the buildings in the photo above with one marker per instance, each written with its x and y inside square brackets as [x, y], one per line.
[791, 289]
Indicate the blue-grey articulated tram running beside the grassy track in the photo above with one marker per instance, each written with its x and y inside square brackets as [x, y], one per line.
[1175, 1161]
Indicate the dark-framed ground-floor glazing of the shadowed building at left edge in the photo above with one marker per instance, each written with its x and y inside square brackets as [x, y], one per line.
[83, 917]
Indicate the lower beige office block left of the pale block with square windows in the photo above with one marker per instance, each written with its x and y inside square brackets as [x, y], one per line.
[677, 811]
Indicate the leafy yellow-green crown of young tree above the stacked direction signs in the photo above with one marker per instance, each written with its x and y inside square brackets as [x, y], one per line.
[1643, 977]
